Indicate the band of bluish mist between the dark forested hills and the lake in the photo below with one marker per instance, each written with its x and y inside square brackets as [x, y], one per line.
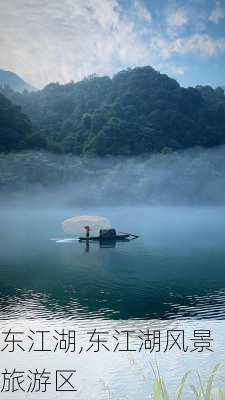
[193, 177]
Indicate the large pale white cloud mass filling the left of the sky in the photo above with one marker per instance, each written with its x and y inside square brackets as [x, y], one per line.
[60, 41]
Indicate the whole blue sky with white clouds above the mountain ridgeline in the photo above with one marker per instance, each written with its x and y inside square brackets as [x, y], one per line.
[62, 40]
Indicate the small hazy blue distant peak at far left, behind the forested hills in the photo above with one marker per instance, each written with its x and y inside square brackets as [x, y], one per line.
[8, 78]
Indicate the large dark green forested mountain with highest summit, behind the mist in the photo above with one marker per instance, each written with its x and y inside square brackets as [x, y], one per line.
[137, 111]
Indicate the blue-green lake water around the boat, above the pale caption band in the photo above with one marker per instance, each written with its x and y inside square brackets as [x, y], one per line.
[175, 269]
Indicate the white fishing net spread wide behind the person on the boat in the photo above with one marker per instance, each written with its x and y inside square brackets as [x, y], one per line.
[76, 225]
